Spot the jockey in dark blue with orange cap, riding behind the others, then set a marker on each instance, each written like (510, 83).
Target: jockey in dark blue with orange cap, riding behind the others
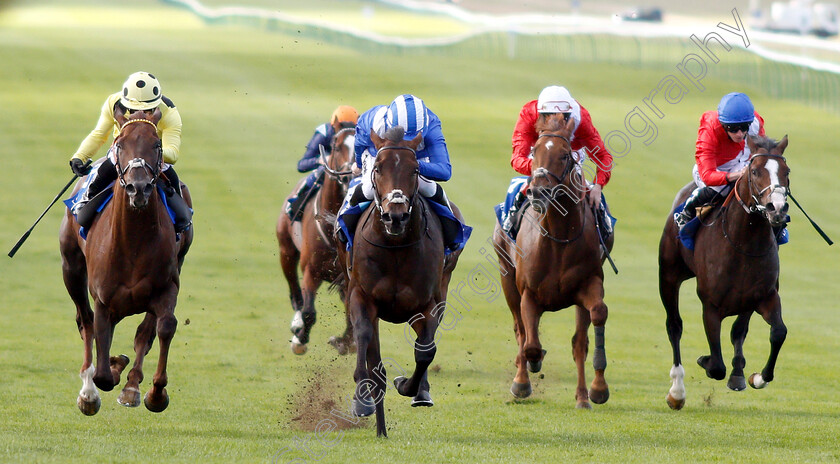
(344, 117)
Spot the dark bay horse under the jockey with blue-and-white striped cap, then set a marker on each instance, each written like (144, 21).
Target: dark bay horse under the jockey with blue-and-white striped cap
(396, 272)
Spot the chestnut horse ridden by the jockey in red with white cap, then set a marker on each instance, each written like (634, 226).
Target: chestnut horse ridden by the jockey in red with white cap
(556, 263)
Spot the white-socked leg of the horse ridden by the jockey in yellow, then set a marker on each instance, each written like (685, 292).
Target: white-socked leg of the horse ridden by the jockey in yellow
(75, 279)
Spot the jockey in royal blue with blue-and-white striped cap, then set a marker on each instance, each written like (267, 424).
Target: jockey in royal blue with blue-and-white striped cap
(410, 113)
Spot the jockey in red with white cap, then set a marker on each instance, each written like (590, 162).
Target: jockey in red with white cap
(585, 140)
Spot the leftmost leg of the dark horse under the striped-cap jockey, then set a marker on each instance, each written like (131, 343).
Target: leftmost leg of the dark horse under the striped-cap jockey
(363, 402)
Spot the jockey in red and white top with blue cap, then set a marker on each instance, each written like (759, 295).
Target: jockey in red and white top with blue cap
(722, 154)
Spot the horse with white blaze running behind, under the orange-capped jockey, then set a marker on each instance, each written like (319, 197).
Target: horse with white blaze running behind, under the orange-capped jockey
(315, 247)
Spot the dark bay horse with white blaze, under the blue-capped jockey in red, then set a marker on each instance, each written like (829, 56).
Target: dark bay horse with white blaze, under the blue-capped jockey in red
(736, 263)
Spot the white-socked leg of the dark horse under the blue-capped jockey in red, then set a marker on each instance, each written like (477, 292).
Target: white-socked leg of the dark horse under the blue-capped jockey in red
(669, 293)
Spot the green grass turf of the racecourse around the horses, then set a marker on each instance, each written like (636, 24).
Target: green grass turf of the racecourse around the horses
(250, 101)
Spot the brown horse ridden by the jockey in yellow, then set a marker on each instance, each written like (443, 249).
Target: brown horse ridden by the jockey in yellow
(131, 264)
